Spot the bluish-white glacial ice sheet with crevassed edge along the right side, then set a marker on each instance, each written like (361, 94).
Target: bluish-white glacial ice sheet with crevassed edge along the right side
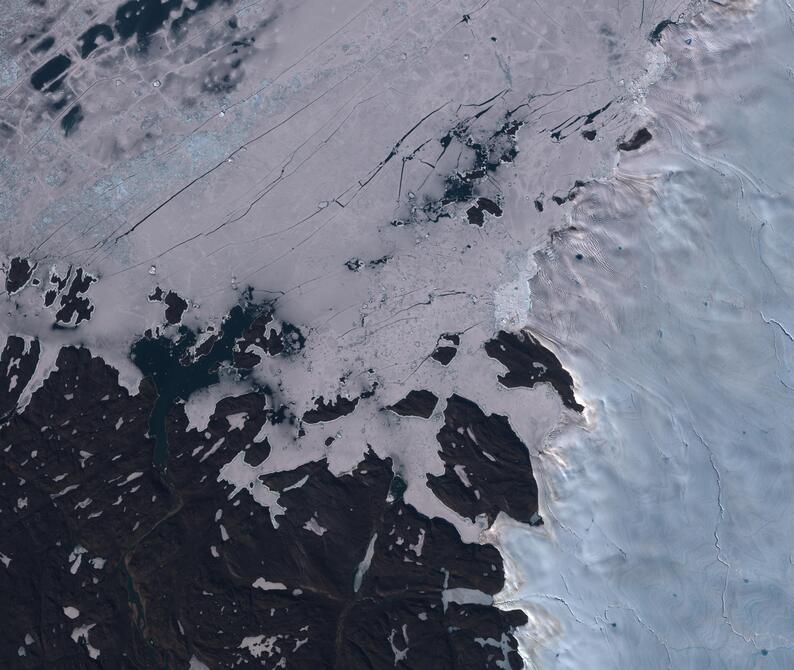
(671, 540)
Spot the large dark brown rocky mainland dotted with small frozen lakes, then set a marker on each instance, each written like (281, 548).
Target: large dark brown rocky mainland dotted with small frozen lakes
(109, 561)
